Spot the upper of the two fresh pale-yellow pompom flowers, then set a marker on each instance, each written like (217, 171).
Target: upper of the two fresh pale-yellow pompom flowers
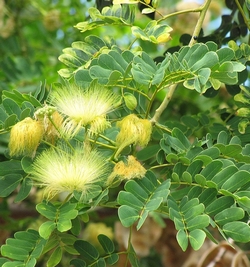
(84, 108)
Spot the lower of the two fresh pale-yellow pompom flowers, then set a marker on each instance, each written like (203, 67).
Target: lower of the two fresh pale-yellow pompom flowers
(59, 170)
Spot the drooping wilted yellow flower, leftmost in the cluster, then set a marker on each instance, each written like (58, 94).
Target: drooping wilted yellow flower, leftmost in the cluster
(25, 137)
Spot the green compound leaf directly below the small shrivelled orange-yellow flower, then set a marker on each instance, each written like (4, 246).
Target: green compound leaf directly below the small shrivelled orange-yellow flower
(141, 197)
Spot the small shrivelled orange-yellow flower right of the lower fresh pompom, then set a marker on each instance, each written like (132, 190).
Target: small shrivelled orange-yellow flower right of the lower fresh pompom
(127, 170)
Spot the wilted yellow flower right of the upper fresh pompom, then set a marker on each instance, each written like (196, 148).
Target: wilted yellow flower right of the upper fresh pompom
(133, 131)
